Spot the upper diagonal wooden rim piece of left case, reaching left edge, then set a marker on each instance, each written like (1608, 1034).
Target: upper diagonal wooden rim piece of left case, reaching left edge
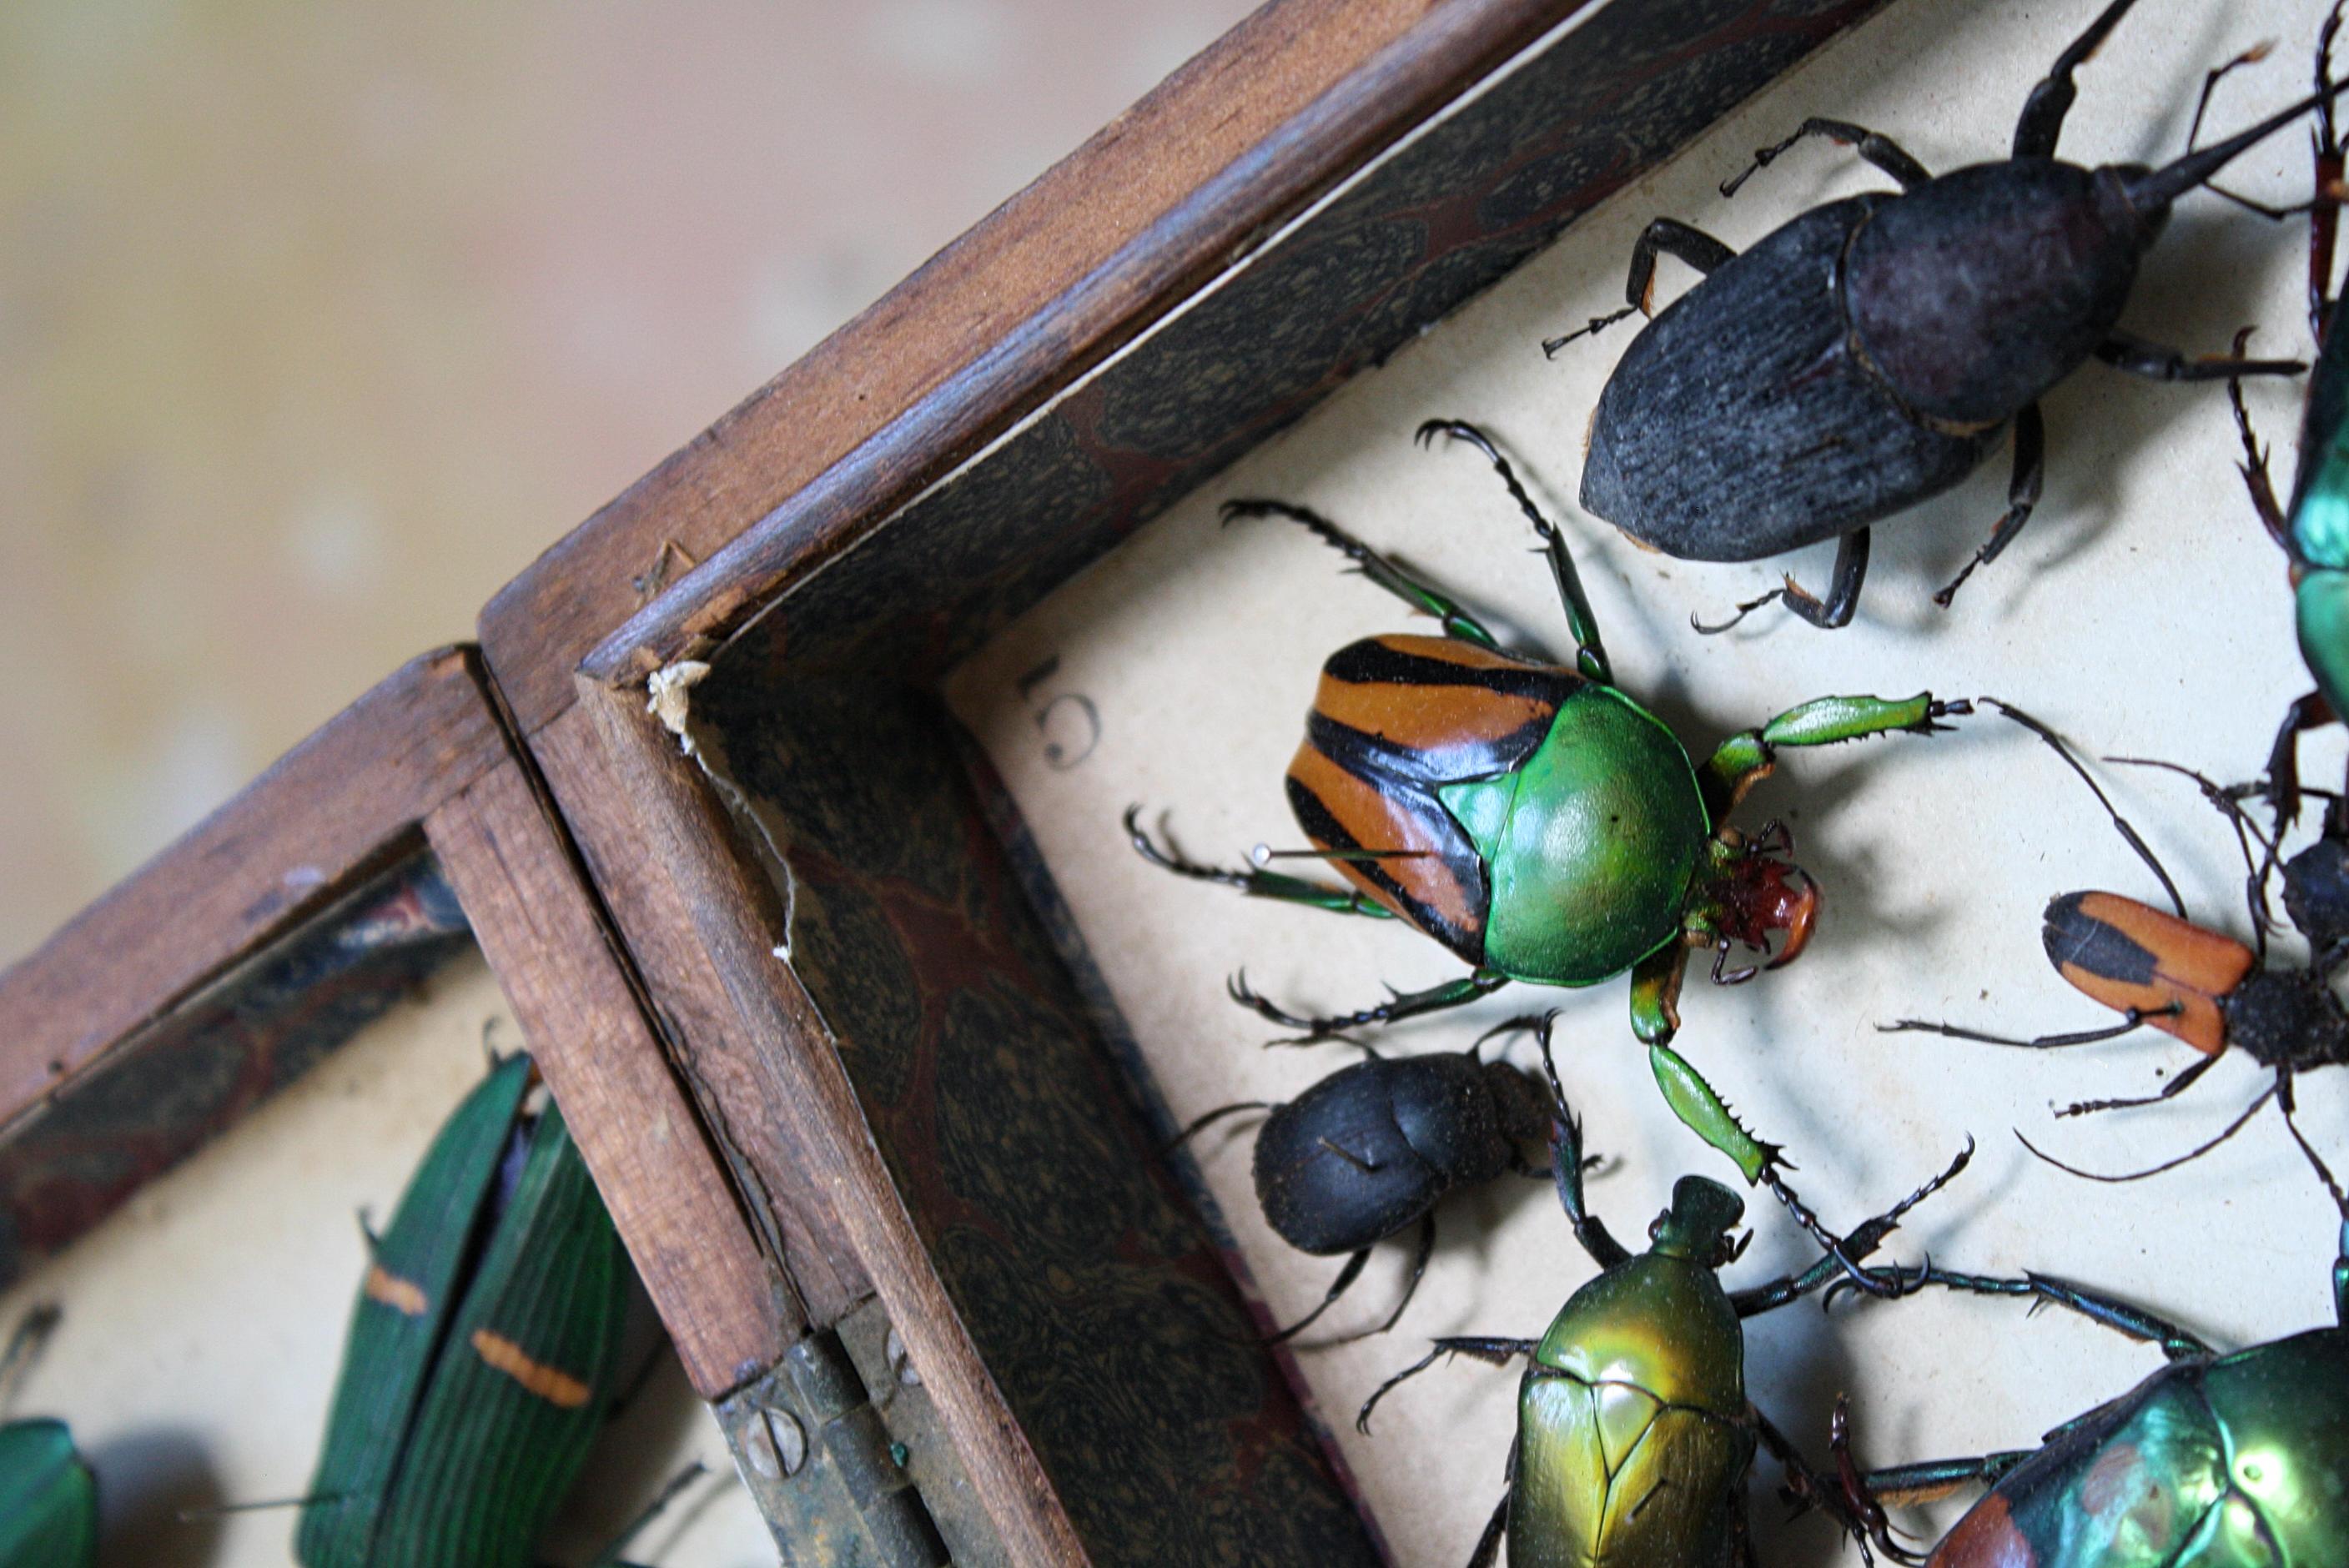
(330, 813)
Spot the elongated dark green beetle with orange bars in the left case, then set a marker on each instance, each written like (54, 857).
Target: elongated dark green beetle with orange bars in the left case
(483, 1351)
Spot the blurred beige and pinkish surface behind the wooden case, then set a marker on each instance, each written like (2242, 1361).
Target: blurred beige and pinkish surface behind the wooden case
(318, 323)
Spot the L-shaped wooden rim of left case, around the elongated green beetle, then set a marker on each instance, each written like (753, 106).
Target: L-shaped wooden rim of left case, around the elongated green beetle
(426, 759)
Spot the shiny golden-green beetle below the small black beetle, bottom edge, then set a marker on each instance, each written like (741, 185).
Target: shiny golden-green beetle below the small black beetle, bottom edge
(1634, 1426)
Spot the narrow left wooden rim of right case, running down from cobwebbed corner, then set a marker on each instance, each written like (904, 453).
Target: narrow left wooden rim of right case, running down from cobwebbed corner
(739, 924)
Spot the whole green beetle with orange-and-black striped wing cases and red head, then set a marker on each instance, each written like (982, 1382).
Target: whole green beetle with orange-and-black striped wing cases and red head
(1533, 818)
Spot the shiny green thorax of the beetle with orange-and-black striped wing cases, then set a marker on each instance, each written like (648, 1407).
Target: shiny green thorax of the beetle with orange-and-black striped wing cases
(1591, 844)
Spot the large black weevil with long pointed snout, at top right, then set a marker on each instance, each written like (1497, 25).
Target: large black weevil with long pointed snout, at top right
(1871, 353)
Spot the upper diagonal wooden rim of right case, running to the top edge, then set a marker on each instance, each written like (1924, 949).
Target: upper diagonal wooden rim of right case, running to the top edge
(1028, 302)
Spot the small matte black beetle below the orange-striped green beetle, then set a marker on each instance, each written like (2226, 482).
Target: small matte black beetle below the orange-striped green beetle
(1375, 1147)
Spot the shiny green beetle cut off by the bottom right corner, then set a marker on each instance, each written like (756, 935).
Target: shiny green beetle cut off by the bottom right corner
(2216, 1461)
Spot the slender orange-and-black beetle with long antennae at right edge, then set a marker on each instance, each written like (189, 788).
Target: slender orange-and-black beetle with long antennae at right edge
(2216, 994)
